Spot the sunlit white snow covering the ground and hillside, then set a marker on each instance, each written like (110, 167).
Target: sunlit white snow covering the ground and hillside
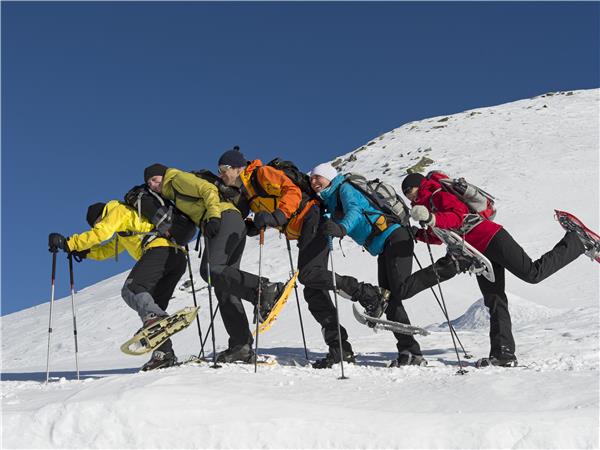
(534, 155)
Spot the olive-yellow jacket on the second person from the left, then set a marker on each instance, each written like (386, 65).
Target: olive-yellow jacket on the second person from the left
(197, 198)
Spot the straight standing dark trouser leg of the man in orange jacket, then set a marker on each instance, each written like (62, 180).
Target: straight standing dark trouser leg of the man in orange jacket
(317, 280)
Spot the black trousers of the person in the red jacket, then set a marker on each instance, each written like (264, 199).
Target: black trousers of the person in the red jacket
(505, 253)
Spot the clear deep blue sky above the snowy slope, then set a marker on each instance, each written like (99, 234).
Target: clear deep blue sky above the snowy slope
(94, 92)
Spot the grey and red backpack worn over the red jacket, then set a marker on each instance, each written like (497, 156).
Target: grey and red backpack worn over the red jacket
(477, 200)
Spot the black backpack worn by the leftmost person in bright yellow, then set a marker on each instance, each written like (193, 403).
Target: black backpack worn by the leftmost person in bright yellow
(169, 222)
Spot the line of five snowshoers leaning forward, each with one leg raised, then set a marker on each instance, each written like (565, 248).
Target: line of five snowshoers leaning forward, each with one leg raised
(311, 215)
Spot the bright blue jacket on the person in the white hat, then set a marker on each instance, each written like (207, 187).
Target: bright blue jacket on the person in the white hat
(358, 211)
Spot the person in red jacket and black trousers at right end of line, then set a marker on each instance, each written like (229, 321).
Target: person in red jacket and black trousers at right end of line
(433, 206)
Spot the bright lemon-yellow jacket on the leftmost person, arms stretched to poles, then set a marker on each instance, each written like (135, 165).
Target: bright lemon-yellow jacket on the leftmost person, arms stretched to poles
(116, 218)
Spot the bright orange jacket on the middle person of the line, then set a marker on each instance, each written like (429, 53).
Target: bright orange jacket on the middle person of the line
(278, 192)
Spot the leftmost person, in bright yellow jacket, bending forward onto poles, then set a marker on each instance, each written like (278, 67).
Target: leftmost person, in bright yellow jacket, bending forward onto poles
(160, 264)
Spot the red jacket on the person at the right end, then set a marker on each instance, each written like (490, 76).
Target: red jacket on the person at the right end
(449, 213)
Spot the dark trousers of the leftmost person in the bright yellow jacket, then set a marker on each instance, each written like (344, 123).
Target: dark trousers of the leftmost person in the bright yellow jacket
(151, 282)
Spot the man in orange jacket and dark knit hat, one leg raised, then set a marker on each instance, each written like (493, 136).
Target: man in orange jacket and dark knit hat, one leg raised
(279, 203)
